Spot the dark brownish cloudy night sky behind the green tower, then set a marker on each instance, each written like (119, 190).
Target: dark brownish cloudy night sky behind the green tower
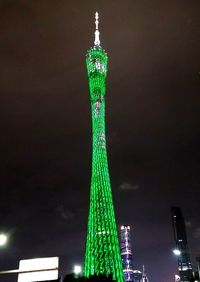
(152, 122)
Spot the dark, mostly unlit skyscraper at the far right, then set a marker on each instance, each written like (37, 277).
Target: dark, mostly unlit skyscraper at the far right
(184, 263)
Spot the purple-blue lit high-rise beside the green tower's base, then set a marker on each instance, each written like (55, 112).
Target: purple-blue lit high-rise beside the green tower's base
(126, 252)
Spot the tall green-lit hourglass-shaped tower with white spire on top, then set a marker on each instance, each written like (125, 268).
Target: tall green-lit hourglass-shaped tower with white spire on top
(102, 246)
